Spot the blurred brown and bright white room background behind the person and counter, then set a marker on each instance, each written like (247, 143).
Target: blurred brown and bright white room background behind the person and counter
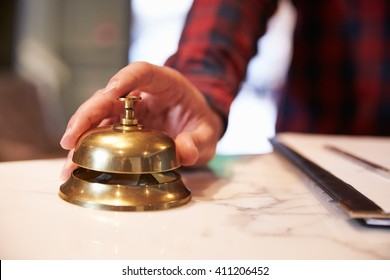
(55, 53)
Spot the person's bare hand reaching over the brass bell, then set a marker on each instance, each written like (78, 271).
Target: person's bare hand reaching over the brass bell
(169, 103)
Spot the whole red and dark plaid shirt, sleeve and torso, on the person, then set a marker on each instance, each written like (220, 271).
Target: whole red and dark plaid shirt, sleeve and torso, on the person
(339, 79)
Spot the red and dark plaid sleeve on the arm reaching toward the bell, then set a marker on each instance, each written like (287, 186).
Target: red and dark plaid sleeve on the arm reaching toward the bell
(218, 40)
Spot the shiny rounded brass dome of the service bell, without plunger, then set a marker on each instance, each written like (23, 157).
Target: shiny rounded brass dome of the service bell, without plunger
(136, 150)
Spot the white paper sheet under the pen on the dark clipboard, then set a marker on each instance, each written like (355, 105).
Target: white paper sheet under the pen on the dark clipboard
(375, 149)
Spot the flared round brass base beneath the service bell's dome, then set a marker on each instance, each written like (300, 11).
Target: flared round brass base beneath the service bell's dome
(125, 192)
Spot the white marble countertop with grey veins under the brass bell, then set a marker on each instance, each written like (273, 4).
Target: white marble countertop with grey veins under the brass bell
(248, 207)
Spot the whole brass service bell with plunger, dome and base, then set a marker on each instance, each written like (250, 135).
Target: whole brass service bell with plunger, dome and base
(125, 167)
